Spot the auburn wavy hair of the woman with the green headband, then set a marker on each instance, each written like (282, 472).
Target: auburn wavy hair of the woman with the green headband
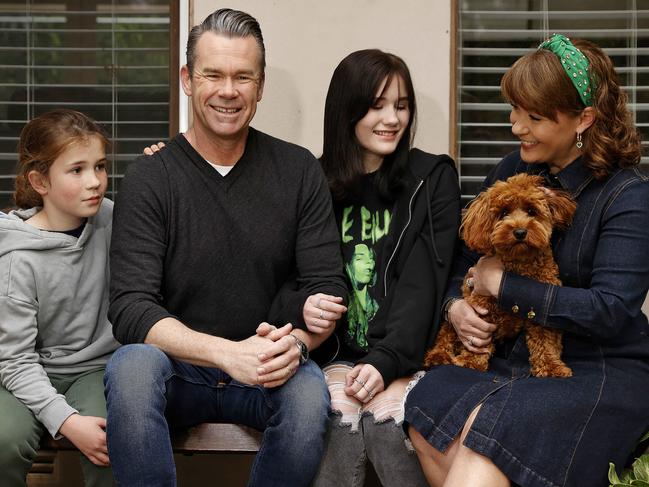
(538, 83)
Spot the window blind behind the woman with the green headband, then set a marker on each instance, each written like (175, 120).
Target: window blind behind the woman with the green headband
(492, 34)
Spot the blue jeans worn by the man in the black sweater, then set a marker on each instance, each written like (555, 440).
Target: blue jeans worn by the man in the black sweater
(147, 393)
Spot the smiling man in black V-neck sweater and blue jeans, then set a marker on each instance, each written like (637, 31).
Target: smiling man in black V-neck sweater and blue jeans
(205, 234)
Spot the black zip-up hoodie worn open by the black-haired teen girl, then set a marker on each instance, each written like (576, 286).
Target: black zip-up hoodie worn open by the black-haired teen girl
(415, 264)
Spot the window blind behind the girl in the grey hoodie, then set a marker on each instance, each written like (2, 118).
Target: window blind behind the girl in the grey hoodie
(107, 59)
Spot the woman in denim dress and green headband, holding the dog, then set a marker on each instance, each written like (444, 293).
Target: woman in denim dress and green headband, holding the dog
(503, 427)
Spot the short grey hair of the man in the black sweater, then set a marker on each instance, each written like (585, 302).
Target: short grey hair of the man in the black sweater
(230, 23)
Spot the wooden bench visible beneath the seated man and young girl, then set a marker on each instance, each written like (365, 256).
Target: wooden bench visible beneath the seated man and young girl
(202, 438)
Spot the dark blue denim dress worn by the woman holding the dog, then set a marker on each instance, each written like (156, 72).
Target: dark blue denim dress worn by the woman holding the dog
(561, 432)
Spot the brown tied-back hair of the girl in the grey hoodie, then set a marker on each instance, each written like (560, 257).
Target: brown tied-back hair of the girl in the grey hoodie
(42, 140)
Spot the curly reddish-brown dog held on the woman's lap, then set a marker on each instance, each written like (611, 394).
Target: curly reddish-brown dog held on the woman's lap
(512, 219)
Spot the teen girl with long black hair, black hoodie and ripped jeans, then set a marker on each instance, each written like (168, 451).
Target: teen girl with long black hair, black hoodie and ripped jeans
(398, 212)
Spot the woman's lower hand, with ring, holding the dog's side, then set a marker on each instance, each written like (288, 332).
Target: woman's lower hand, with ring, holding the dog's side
(474, 332)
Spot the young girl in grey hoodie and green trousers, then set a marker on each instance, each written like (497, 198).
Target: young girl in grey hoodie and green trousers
(55, 338)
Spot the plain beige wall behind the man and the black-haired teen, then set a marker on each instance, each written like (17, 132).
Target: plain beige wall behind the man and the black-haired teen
(306, 39)
